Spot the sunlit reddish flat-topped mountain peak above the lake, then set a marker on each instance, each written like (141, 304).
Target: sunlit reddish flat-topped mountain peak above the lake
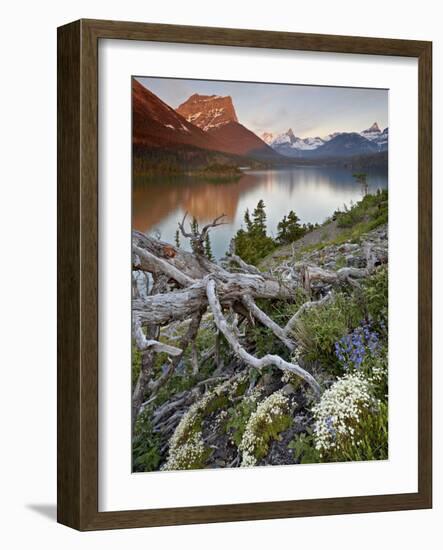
(208, 111)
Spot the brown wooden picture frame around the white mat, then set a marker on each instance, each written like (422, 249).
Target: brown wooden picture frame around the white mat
(78, 274)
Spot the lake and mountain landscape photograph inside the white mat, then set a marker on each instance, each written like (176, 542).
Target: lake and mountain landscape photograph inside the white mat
(259, 274)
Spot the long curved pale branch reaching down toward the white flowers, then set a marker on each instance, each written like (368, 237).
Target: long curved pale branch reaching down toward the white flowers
(267, 360)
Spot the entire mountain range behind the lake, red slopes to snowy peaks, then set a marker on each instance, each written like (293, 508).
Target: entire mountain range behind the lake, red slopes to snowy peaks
(205, 129)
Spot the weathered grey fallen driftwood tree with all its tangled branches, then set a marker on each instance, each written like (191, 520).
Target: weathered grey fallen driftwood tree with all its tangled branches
(186, 285)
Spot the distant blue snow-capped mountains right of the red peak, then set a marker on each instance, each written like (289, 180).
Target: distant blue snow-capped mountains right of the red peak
(368, 141)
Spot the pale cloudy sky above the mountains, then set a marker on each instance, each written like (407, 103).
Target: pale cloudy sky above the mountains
(309, 110)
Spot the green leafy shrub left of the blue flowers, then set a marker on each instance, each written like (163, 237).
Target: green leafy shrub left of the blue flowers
(319, 328)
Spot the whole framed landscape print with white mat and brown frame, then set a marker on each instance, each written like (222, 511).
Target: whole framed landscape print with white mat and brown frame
(244, 275)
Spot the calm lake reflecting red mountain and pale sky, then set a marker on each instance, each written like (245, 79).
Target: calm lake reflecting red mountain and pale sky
(313, 192)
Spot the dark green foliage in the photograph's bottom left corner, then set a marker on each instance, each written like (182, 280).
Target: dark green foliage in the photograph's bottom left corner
(146, 455)
